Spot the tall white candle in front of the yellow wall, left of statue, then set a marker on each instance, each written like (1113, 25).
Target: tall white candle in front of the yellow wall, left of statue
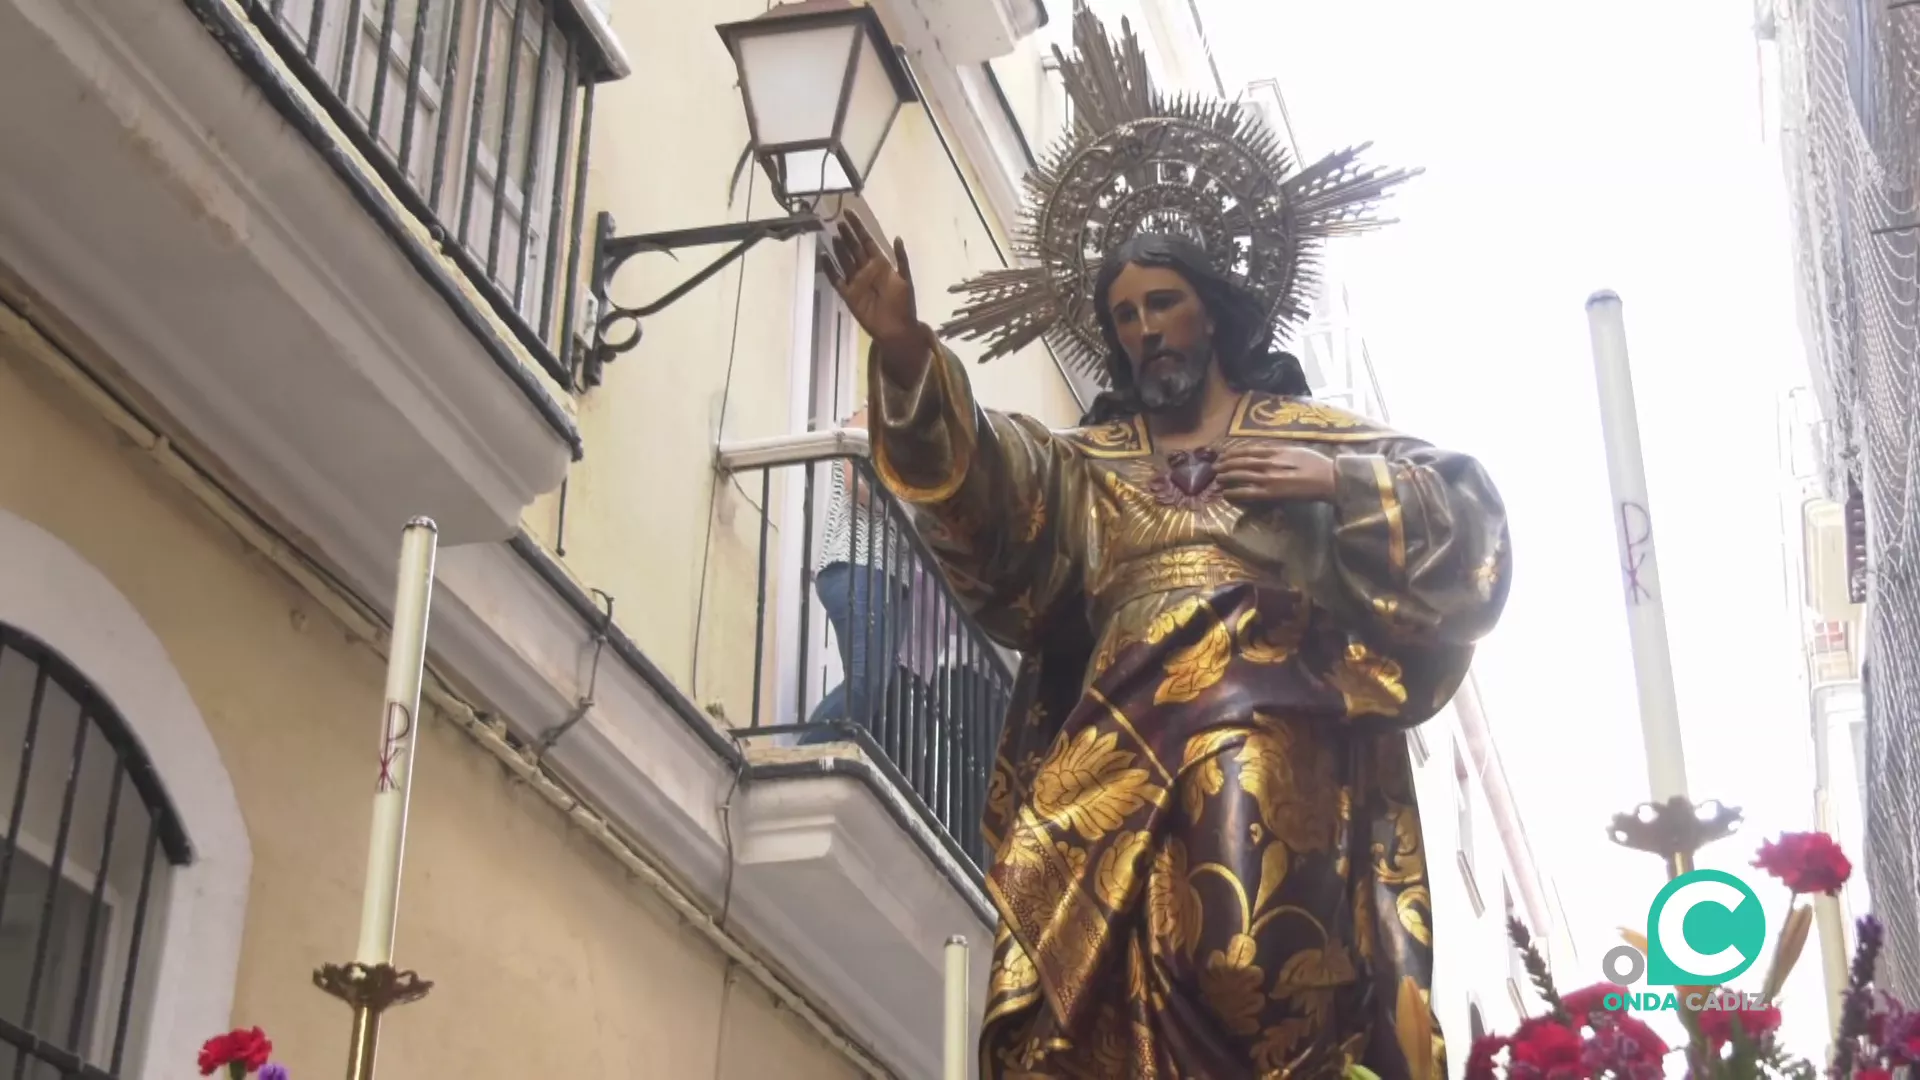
(406, 658)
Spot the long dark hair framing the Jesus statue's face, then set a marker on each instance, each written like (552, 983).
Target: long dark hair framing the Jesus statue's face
(1241, 345)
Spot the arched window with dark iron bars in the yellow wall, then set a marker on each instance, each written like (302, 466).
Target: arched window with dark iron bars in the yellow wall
(89, 841)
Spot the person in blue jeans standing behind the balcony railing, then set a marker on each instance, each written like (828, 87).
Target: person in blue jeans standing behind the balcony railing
(863, 587)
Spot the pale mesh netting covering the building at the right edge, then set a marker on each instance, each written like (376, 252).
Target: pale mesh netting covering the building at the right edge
(1850, 95)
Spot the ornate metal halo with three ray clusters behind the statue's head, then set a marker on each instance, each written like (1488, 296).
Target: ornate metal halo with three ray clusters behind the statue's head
(1145, 162)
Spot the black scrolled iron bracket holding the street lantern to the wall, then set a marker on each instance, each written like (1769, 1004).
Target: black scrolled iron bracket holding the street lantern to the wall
(617, 326)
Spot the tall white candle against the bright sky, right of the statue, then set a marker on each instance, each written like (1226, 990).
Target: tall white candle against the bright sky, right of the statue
(1633, 533)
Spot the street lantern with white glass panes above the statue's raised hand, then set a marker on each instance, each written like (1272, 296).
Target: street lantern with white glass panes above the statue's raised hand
(823, 87)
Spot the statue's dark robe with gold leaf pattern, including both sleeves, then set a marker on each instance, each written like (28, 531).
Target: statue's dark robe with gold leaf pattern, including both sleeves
(1209, 856)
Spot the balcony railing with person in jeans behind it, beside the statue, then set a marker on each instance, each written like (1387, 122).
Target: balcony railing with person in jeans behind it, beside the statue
(930, 689)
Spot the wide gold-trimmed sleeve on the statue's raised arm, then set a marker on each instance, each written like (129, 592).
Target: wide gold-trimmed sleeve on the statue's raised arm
(999, 499)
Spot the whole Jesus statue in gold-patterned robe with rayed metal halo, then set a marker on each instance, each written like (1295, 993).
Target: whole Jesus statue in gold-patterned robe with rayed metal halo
(1232, 604)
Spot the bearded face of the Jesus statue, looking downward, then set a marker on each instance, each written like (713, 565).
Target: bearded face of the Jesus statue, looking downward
(1166, 333)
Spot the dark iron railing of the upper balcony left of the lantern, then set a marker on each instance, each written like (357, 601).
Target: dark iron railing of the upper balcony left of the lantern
(477, 116)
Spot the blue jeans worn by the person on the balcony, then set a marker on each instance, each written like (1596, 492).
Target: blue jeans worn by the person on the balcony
(867, 660)
